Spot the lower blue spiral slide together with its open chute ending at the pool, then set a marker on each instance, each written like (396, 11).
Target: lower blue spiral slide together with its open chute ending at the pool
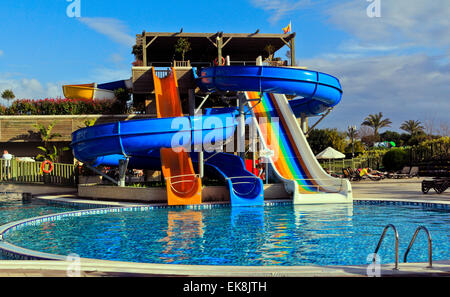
(140, 141)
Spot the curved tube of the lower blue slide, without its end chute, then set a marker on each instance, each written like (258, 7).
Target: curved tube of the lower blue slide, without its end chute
(137, 137)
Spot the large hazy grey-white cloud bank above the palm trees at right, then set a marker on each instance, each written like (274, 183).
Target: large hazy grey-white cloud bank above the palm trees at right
(402, 87)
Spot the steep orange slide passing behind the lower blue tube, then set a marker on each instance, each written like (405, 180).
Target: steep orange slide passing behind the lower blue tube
(184, 187)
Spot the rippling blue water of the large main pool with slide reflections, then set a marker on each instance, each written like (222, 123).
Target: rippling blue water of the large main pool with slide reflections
(270, 235)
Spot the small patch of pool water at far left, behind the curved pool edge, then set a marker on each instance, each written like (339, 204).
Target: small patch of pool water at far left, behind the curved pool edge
(15, 210)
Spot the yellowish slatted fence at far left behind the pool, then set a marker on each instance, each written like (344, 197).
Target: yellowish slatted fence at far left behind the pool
(14, 171)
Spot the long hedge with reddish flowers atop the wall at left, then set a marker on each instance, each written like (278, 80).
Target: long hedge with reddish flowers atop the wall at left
(60, 107)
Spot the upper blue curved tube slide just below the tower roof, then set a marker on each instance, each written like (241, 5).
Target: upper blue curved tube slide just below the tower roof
(319, 91)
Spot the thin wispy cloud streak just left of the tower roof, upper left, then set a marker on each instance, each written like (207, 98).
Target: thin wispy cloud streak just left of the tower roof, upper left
(114, 29)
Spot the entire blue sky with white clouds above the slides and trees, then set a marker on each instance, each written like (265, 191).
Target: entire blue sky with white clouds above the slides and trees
(397, 63)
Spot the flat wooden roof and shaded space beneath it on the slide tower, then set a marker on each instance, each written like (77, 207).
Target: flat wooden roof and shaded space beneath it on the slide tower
(240, 47)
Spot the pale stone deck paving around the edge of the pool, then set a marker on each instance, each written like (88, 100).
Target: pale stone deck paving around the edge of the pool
(389, 189)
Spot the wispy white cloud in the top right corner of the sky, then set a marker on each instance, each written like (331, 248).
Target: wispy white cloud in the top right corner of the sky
(402, 22)
